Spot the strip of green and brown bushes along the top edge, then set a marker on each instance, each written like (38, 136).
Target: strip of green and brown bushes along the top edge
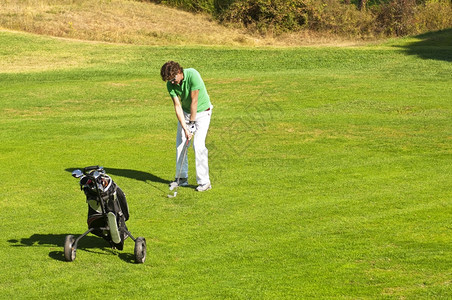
(351, 18)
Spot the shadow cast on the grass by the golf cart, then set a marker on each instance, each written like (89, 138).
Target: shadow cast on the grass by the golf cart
(88, 243)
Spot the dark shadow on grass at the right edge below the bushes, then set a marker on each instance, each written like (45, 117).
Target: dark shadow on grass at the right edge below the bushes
(433, 45)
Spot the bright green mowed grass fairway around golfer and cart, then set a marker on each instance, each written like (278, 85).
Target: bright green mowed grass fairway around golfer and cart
(331, 171)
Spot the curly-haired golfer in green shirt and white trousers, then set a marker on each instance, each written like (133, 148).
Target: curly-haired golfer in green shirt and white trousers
(193, 111)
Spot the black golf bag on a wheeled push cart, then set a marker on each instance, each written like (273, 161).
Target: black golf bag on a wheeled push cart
(107, 213)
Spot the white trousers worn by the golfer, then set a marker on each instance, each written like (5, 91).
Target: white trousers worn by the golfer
(199, 147)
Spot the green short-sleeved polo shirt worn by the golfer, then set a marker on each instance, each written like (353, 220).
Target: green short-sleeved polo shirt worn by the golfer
(192, 81)
